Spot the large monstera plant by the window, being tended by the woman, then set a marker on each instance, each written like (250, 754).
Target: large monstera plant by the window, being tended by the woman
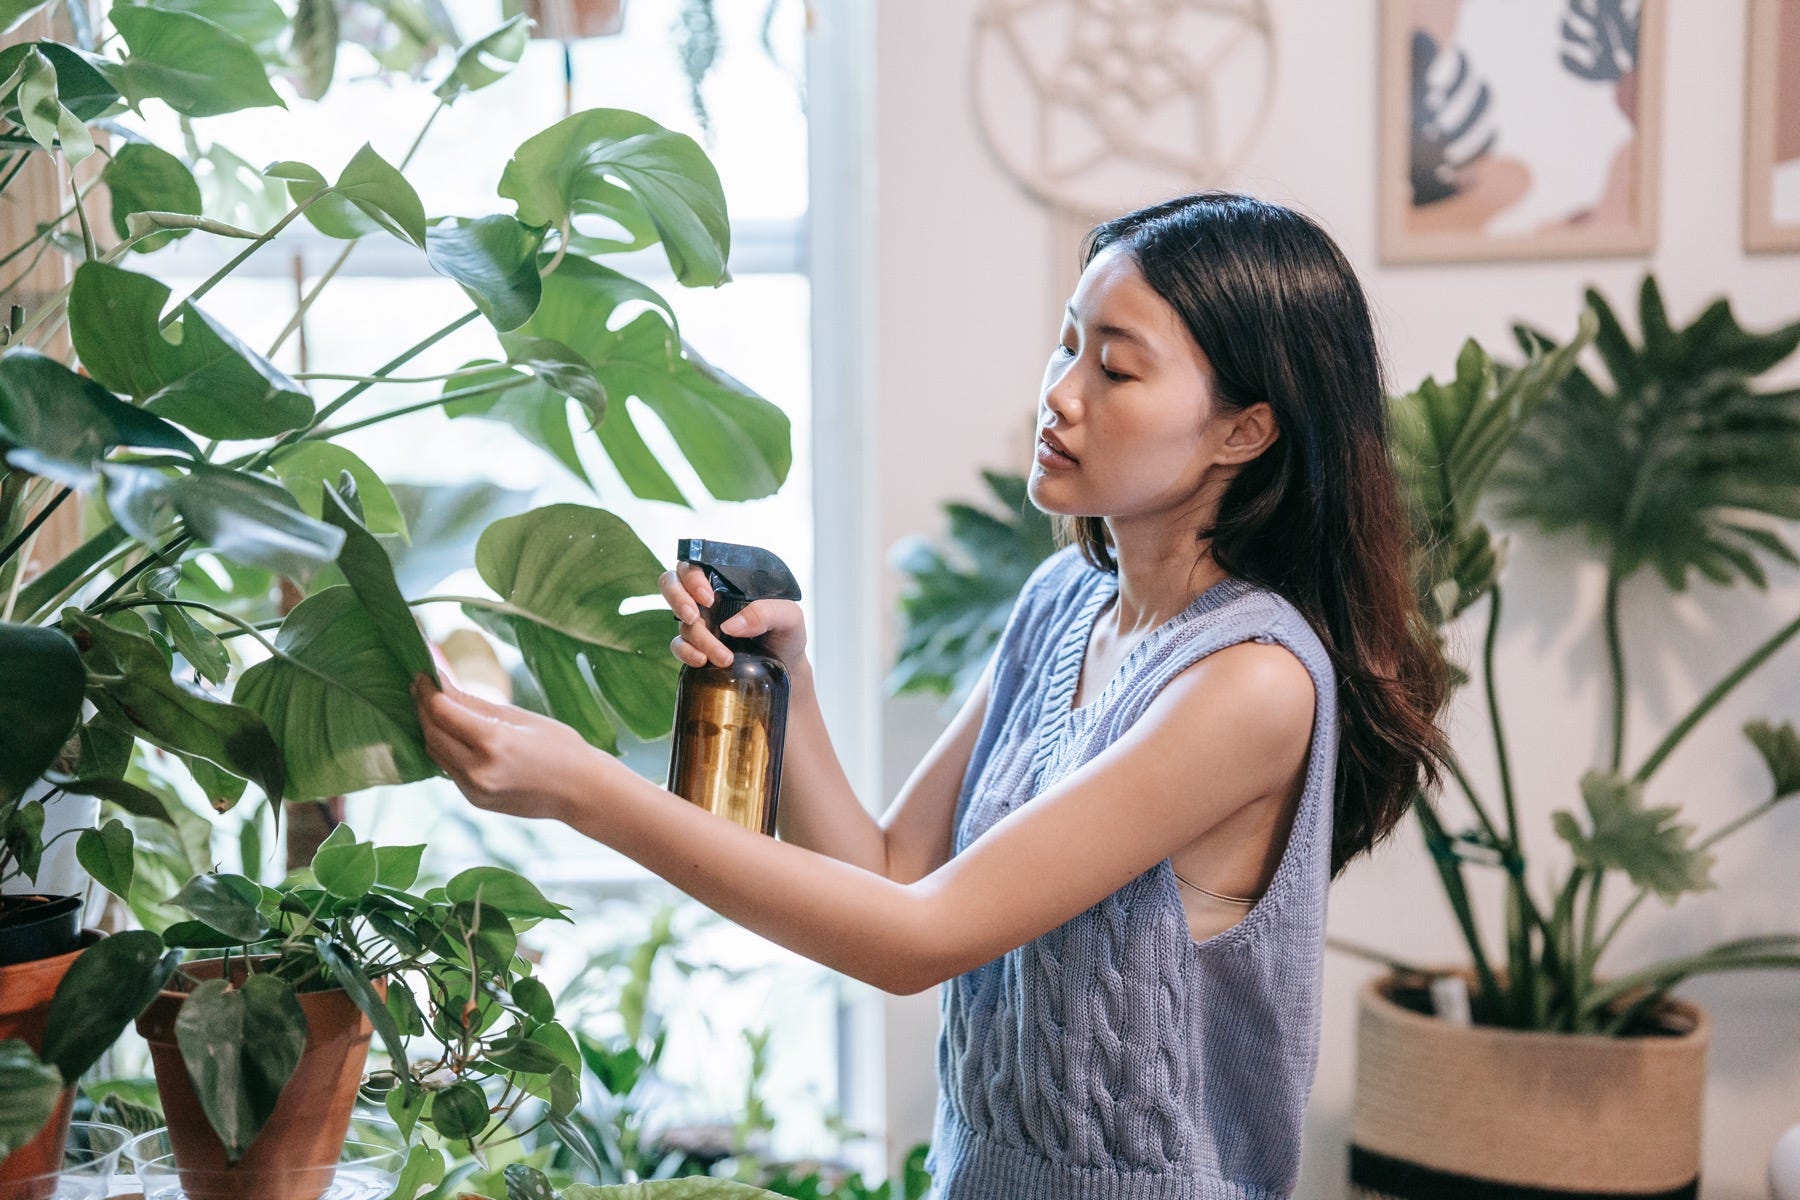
(233, 613)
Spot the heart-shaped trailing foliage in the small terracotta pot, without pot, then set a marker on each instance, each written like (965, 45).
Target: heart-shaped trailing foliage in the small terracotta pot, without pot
(471, 1032)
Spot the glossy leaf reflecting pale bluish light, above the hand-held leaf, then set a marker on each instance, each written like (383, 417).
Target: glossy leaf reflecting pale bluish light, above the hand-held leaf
(244, 517)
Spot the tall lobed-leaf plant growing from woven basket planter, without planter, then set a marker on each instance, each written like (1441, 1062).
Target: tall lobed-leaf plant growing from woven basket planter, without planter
(1677, 463)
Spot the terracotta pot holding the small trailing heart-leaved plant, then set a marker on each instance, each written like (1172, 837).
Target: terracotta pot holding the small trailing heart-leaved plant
(296, 1154)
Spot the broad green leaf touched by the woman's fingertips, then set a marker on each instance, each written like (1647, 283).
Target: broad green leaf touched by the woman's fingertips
(339, 701)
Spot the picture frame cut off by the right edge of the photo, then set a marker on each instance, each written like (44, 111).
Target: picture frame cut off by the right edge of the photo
(1772, 127)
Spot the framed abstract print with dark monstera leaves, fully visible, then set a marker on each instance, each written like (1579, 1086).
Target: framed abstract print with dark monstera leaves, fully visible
(1520, 129)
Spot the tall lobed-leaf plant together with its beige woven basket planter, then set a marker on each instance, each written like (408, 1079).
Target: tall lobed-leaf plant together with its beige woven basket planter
(1540, 1068)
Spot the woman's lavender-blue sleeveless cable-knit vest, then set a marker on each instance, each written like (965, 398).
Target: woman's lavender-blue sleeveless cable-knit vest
(1117, 1059)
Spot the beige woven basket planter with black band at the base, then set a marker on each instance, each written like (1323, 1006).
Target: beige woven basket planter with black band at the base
(1480, 1113)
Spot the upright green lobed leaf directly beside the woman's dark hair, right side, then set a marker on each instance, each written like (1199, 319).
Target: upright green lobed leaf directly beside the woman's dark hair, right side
(1446, 443)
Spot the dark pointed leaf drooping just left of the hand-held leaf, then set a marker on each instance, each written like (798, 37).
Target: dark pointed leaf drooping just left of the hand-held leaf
(139, 694)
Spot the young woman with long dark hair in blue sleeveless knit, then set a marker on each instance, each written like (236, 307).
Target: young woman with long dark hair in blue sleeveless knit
(1209, 703)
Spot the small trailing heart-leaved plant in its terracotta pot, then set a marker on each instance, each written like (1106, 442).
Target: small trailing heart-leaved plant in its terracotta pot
(260, 1048)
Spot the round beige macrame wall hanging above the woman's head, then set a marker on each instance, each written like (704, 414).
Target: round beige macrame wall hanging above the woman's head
(1095, 107)
